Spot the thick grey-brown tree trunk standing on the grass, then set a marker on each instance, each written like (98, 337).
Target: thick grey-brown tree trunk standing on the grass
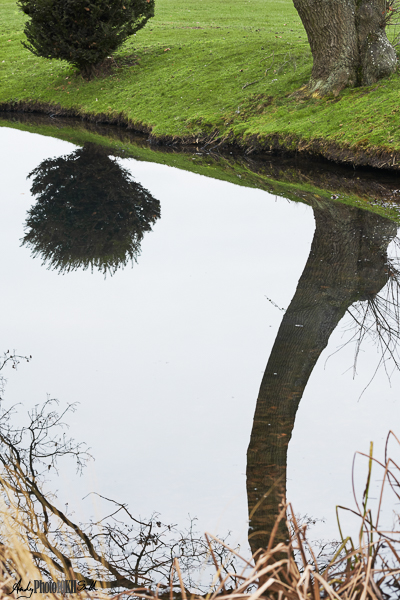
(348, 43)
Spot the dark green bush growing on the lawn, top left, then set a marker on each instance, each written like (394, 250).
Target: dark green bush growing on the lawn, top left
(82, 32)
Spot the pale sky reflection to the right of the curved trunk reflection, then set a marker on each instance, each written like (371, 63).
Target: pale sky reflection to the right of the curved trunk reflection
(334, 420)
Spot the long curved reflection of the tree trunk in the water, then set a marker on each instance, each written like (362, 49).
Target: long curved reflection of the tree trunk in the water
(346, 263)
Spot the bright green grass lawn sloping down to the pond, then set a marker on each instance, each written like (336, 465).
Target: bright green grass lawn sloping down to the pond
(216, 69)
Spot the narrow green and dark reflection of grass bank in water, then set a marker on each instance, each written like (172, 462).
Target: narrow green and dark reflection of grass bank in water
(299, 181)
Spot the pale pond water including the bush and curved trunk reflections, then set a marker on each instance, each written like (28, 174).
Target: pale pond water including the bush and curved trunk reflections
(166, 355)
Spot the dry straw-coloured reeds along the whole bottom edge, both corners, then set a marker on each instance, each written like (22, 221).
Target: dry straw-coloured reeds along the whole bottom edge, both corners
(366, 570)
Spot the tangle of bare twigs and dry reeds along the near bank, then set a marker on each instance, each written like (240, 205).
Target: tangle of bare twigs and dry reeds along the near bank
(139, 559)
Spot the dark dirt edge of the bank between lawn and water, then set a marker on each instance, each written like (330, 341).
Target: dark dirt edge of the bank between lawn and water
(286, 145)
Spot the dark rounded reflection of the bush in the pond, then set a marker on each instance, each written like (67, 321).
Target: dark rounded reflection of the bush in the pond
(89, 212)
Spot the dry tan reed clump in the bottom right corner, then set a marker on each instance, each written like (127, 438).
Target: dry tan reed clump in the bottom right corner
(369, 570)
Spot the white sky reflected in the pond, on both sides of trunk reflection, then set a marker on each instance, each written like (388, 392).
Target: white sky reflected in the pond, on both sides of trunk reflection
(166, 358)
